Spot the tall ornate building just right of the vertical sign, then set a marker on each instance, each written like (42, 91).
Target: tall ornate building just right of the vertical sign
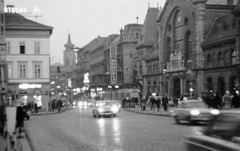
(129, 37)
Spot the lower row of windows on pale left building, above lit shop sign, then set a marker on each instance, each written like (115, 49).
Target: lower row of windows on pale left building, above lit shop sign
(23, 70)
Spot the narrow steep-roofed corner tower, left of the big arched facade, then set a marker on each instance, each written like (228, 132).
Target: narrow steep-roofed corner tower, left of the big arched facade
(147, 56)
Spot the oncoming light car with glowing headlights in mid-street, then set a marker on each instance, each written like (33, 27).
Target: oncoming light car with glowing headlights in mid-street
(105, 107)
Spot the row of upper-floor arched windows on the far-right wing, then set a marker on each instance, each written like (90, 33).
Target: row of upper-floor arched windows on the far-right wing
(221, 59)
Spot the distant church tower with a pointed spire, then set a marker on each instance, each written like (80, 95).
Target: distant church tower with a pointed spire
(69, 54)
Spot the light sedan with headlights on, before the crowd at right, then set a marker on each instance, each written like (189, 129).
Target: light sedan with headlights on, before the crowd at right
(193, 111)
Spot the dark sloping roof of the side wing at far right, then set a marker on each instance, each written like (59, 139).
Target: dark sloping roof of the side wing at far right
(222, 30)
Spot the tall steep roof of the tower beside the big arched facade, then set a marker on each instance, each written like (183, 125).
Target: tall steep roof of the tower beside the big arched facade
(149, 31)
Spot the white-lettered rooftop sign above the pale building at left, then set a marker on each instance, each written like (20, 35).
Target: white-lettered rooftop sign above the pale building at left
(35, 11)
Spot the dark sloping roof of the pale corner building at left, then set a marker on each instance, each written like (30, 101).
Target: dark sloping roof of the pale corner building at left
(16, 21)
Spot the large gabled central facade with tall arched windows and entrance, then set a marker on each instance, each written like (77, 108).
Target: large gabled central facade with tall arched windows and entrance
(183, 27)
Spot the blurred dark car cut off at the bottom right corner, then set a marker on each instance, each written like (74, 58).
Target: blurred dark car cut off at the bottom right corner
(223, 133)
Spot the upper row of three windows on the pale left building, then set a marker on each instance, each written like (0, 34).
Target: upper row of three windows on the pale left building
(22, 48)
